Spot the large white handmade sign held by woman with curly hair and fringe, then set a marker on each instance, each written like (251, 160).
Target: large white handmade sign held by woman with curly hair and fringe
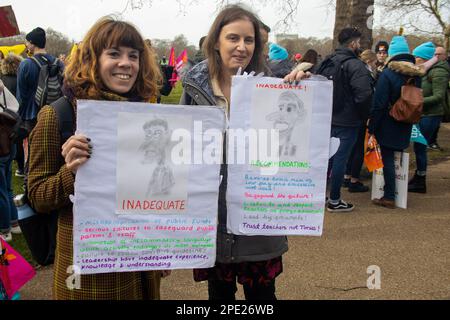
(147, 198)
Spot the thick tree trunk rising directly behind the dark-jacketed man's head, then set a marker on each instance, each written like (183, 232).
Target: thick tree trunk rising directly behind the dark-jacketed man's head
(354, 13)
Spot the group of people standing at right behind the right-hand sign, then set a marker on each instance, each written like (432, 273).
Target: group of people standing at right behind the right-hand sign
(362, 99)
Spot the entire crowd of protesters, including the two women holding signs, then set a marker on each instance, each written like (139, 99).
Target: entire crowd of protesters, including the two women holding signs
(115, 63)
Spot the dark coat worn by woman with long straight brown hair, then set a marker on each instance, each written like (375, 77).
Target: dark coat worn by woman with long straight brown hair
(230, 248)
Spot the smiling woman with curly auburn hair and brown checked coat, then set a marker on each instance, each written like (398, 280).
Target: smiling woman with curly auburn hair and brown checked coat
(112, 64)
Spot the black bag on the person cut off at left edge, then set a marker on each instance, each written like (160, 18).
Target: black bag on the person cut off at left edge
(12, 128)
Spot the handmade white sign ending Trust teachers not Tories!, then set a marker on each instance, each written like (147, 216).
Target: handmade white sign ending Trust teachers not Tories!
(280, 188)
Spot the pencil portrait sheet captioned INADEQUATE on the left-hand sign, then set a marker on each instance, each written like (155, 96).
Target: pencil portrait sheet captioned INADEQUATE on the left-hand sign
(154, 176)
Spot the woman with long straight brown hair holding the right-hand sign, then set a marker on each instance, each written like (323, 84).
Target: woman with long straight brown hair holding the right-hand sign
(233, 42)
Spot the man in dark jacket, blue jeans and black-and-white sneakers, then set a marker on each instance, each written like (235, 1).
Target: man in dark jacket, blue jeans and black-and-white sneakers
(352, 93)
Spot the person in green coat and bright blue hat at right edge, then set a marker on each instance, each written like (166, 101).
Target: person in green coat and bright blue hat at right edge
(434, 86)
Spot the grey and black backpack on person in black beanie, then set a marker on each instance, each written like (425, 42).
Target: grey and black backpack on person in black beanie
(50, 81)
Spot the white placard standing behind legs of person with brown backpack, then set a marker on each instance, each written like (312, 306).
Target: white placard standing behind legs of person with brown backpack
(401, 180)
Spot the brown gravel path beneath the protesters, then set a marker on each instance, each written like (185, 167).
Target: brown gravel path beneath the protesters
(411, 247)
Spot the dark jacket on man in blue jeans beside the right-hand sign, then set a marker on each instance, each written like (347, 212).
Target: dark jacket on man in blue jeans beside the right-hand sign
(353, 109)
